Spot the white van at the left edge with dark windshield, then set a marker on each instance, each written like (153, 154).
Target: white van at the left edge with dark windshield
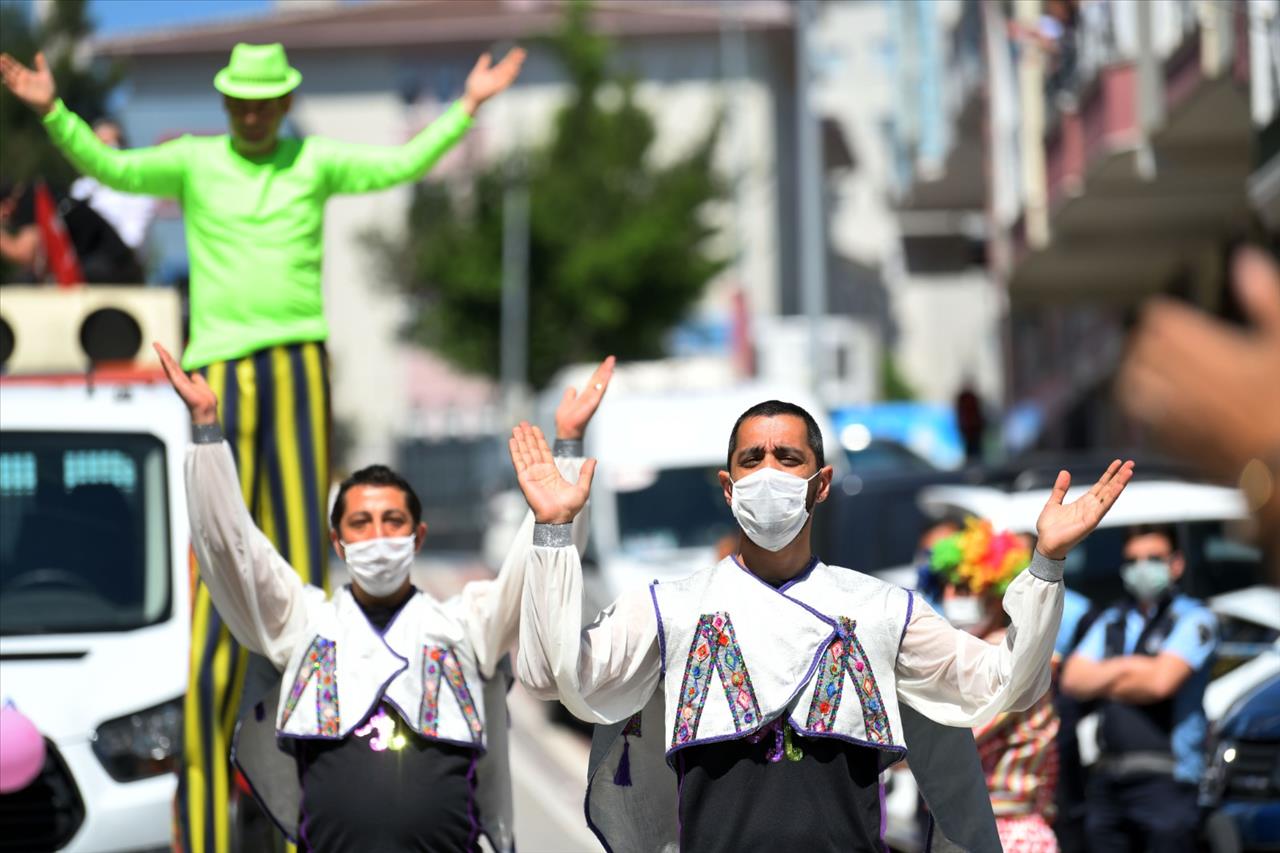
(95, 596)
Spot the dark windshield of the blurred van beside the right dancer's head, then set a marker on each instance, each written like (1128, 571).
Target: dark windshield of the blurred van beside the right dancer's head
(675, 508)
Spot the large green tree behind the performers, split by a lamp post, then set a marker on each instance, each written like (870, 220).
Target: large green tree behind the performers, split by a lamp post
(616, 244)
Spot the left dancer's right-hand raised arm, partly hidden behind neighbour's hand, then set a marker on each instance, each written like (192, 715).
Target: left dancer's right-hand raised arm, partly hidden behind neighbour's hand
(493, 606)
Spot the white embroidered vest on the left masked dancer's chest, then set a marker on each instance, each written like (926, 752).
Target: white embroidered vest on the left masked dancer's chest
(423, 667)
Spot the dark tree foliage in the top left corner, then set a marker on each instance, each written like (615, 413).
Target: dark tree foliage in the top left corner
(25, 148)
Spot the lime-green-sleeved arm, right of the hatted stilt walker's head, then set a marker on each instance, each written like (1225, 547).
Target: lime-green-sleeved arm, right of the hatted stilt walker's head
(364, 168)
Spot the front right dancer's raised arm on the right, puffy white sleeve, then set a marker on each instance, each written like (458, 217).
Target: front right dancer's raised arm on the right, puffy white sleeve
(961, 681)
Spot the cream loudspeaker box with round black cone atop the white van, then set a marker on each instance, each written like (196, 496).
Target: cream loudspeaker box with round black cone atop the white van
(48, 330)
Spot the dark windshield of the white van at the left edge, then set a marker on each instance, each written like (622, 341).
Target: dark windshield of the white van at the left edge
(84, 533)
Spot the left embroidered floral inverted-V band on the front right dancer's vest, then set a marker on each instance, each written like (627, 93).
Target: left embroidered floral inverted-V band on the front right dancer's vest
(715, 649)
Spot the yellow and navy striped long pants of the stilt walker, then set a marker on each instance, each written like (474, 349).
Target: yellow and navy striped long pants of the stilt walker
(275, 408)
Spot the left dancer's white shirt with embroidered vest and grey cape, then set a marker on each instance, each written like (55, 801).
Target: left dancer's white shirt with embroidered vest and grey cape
(438, 665)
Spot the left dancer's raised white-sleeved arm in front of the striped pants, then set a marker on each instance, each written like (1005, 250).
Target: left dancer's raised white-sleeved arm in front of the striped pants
(254, 590)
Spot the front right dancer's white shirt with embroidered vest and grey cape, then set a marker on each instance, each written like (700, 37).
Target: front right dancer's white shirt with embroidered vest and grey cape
(724, 656)
